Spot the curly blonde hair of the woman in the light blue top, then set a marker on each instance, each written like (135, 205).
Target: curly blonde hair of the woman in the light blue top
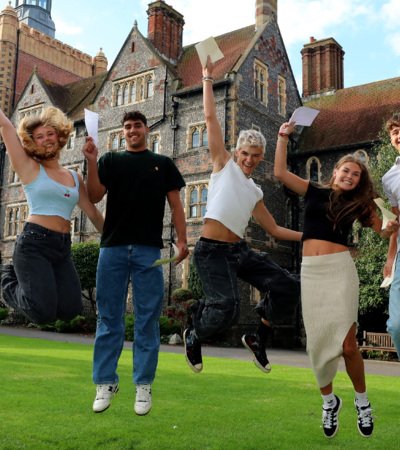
(50, 117)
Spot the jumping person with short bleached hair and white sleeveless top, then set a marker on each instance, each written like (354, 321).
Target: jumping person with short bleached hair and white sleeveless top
(222, 256)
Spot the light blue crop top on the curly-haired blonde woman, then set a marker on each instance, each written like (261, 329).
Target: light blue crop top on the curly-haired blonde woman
(47, 197)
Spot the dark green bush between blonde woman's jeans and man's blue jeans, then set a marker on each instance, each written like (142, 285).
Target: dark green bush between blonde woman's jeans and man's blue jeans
(85, 256)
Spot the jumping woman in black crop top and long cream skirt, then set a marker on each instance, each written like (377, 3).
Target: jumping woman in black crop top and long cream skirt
(329, 280)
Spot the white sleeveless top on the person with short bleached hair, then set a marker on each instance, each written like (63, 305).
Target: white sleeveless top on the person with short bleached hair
(232, 197)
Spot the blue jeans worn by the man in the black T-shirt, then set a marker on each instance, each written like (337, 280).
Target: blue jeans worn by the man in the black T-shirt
(116, 267)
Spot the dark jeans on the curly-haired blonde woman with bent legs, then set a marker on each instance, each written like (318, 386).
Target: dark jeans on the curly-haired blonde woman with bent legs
(45, 285)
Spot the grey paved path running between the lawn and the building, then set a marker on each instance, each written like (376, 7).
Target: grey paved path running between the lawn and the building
(296, 358)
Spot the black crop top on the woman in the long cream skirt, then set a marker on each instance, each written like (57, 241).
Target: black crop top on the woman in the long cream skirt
(317, 225)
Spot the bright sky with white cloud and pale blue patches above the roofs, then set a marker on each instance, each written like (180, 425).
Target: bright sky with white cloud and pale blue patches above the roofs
(368, 30)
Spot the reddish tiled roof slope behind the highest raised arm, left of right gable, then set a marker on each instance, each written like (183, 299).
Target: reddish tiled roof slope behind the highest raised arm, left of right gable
(233, 45)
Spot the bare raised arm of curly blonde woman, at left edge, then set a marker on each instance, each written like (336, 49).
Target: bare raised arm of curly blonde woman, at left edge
(20, 161)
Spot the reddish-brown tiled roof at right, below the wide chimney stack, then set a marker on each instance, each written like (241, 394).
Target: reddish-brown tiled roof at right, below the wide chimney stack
(351, 116)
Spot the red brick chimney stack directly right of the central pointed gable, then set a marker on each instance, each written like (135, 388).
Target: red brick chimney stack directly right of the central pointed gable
(165, 29)
